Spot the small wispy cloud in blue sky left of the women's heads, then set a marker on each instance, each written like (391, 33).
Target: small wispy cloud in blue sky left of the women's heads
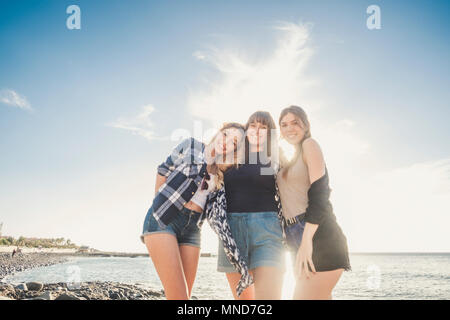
(140, 124)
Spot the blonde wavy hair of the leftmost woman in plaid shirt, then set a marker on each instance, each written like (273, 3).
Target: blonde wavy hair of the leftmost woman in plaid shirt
(219, 166)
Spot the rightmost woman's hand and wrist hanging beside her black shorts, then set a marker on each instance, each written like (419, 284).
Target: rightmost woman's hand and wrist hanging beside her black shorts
(304, 255)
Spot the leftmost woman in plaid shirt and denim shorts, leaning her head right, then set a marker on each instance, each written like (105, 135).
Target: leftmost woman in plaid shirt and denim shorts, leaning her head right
(171, 229)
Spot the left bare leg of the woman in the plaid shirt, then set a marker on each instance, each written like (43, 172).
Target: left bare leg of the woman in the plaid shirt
(164, 252)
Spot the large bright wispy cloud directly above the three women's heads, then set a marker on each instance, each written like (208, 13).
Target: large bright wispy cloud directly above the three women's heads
(242, 85)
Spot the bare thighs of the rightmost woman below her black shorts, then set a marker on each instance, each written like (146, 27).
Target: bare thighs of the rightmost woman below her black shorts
(318, 287)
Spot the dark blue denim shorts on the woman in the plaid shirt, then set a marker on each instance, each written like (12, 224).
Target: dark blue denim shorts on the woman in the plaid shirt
(183, 227)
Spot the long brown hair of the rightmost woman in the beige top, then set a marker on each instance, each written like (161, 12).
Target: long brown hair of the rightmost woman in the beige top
(301, 115)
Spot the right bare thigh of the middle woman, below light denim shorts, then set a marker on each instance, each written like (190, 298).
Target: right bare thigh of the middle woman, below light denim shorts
(268, 283)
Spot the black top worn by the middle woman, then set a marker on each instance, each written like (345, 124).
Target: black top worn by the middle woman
(249, 190)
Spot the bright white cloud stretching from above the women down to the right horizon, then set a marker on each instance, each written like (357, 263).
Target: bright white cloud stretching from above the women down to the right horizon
(379, 208)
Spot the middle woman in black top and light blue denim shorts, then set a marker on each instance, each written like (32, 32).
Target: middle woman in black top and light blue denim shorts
(252, 213)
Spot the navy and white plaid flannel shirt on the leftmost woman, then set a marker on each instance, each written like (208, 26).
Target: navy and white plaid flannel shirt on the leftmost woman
(184, 169)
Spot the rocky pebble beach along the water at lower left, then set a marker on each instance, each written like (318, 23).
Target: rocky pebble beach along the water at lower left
(61, 290)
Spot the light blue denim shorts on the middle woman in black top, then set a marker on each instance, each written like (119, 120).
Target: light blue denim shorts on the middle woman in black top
(259, 239)
